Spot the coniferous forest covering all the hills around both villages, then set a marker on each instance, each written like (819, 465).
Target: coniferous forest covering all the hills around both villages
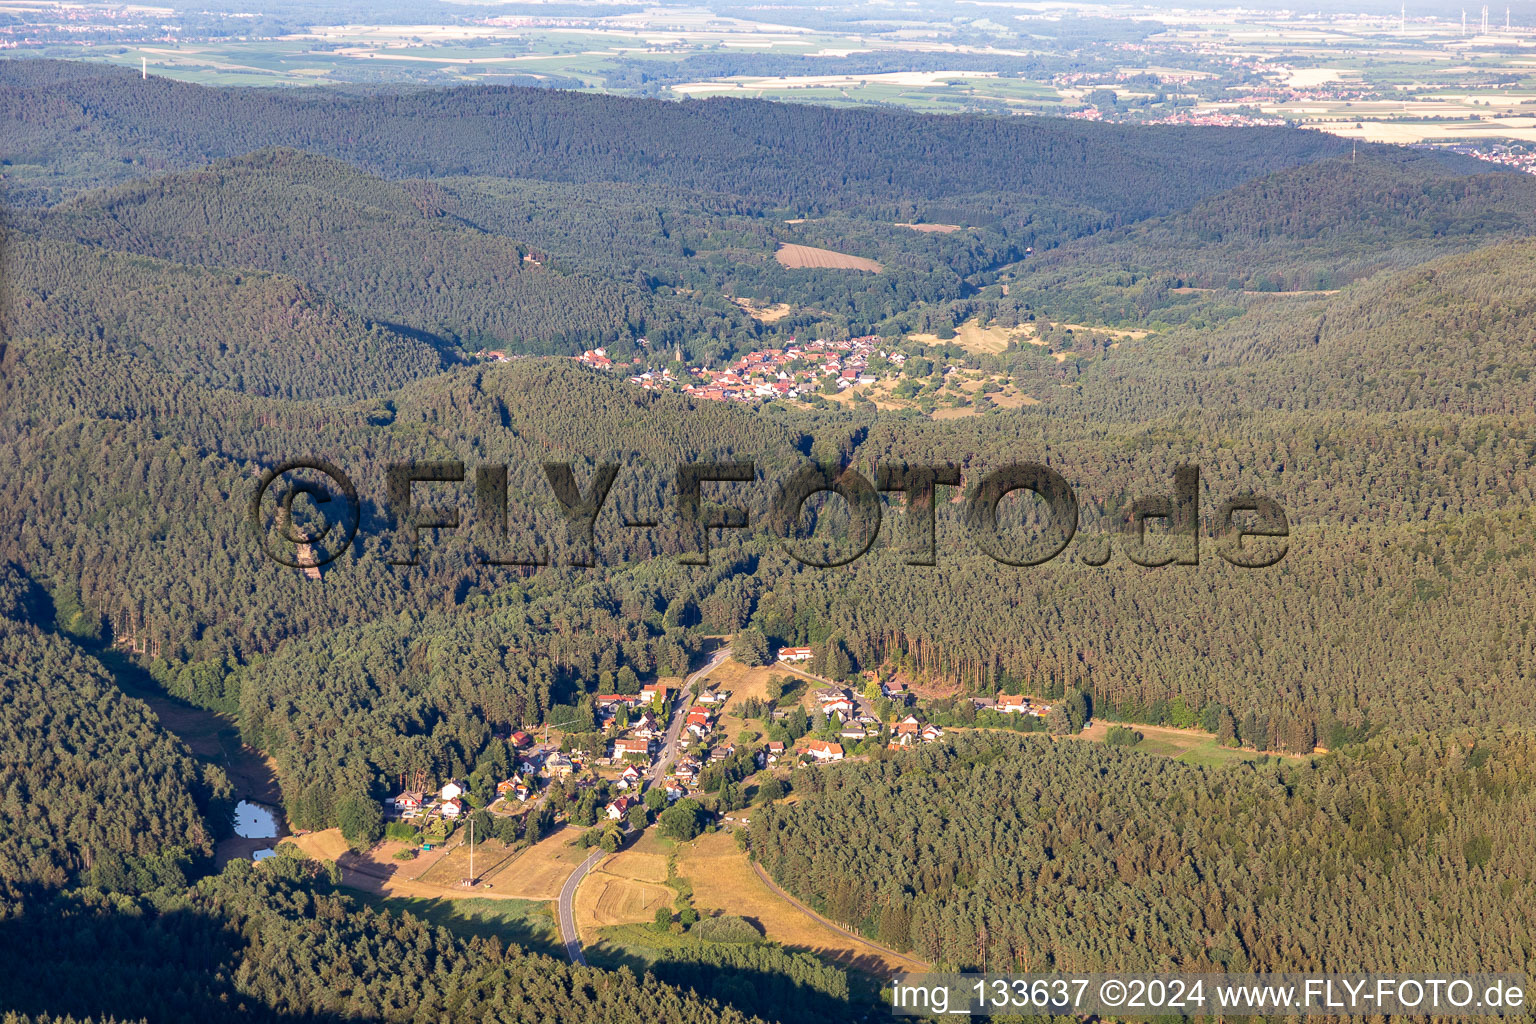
(204, 283)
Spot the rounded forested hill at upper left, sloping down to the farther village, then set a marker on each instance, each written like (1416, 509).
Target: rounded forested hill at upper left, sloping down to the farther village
(372, 246)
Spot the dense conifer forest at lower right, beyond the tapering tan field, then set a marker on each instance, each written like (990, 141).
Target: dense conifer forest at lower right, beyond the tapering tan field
(1019, 854)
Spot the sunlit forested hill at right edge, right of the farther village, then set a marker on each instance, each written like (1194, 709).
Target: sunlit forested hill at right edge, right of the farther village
(1452, 335)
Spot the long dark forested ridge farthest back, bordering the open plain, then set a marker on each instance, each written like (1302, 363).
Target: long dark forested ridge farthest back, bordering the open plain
(85, 130)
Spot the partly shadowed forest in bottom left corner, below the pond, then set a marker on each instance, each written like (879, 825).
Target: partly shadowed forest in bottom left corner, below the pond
(279, 942)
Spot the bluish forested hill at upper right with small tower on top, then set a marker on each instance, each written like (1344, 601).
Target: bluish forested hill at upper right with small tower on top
(1313, 228)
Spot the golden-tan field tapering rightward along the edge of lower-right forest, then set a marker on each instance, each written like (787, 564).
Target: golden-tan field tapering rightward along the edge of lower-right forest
(723, 879)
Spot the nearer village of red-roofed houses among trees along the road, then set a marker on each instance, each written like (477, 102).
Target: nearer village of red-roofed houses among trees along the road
(663, 745)
